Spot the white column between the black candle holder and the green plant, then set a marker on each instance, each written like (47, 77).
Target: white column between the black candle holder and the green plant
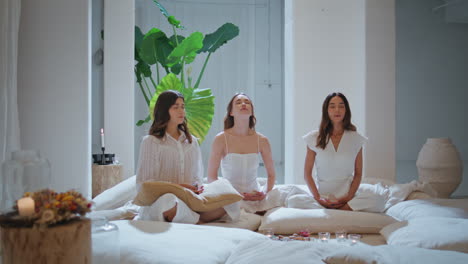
(119, 121)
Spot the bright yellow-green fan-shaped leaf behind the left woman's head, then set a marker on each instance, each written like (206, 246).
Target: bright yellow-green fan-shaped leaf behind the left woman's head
(199, 105)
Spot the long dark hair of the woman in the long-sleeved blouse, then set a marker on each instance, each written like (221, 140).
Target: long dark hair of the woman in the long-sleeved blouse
(161, 115)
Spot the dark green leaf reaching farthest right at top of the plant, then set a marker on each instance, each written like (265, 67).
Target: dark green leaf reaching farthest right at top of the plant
(221, 36)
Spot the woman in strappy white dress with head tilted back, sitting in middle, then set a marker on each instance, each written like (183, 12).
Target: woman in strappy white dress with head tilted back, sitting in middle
(237, 150)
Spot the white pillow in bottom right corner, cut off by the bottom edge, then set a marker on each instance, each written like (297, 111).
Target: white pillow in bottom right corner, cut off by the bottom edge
(364, 254)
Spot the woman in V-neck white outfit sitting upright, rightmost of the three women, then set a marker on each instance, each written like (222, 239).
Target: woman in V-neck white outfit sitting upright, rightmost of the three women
(336, 151)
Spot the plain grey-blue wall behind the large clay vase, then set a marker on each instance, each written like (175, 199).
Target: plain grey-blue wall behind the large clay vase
(432, 83)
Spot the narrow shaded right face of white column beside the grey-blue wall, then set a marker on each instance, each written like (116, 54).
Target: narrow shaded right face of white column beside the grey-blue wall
(380, 90)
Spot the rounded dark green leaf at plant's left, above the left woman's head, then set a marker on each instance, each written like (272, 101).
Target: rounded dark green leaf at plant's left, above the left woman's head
(155, 47)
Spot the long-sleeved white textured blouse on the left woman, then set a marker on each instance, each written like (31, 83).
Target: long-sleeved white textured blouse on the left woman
(171, 160)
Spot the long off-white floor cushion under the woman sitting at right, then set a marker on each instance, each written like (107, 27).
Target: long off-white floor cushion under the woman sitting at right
(292, 220)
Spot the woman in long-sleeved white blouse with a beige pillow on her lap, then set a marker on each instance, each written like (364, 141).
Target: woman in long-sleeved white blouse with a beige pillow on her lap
(170, 153)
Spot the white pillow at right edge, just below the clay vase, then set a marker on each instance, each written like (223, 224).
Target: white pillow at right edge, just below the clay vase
(426, 208)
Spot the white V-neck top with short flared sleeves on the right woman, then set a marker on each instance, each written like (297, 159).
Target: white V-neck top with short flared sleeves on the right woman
(335, 168)
